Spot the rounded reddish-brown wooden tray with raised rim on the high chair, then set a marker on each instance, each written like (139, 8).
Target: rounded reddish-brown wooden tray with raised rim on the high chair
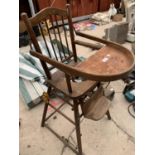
(110, 63)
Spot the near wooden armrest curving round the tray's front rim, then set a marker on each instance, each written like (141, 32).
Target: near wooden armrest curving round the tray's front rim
(74, 71)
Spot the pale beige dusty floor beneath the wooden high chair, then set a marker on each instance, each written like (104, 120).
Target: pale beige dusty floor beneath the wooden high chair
(104, 137)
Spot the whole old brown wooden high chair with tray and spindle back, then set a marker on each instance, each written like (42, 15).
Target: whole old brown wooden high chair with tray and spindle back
(86, 93)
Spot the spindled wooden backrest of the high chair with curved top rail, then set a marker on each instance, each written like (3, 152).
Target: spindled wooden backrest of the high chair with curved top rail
(52, 42)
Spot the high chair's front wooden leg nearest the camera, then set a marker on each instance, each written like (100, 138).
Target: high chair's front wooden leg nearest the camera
(77, 125)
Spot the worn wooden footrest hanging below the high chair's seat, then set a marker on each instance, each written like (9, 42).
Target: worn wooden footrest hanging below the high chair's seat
(97, 106)
